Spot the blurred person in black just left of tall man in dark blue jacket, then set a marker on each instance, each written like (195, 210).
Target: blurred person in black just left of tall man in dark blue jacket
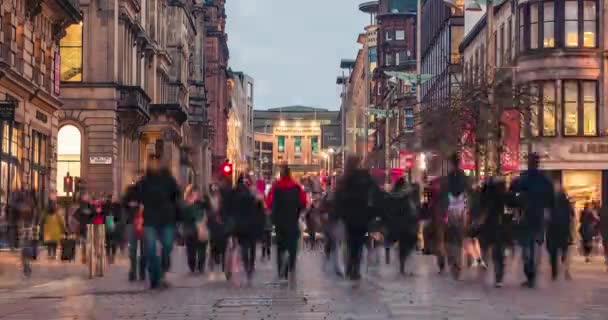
(493, 232)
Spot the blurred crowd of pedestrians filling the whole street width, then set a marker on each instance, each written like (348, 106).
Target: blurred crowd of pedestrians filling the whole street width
(223, 225)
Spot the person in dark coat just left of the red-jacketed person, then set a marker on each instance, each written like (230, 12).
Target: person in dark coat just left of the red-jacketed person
(248, 214)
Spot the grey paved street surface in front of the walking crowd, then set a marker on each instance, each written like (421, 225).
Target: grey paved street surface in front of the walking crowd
(62, 291)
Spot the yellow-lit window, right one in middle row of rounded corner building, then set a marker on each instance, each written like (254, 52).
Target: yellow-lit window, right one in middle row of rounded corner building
(580, 108)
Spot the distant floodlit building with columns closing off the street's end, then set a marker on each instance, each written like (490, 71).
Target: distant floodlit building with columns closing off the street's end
(295, 132)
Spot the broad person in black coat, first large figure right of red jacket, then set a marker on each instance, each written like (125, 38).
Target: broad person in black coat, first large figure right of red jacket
(356, 199)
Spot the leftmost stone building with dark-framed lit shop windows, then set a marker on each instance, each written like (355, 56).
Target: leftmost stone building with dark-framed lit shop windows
(29, 81)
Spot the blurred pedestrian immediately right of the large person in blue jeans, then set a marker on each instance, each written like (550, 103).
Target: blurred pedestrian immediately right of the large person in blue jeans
(193, 214)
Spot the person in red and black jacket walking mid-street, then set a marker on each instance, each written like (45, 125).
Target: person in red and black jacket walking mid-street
(286, 200)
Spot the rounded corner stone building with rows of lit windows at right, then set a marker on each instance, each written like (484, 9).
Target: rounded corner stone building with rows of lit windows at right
(556, 48)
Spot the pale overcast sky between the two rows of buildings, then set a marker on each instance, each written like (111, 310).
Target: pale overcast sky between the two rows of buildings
(292, 48)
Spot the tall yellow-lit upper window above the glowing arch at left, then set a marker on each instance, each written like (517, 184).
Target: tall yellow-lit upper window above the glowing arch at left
(70, 49)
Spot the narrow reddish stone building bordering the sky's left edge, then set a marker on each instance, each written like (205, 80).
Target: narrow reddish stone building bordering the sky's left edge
(216, 79)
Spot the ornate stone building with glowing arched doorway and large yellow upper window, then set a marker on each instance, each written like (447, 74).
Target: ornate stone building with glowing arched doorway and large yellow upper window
(131, 89)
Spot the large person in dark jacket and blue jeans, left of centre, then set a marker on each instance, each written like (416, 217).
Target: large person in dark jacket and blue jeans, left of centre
(158, 193)
